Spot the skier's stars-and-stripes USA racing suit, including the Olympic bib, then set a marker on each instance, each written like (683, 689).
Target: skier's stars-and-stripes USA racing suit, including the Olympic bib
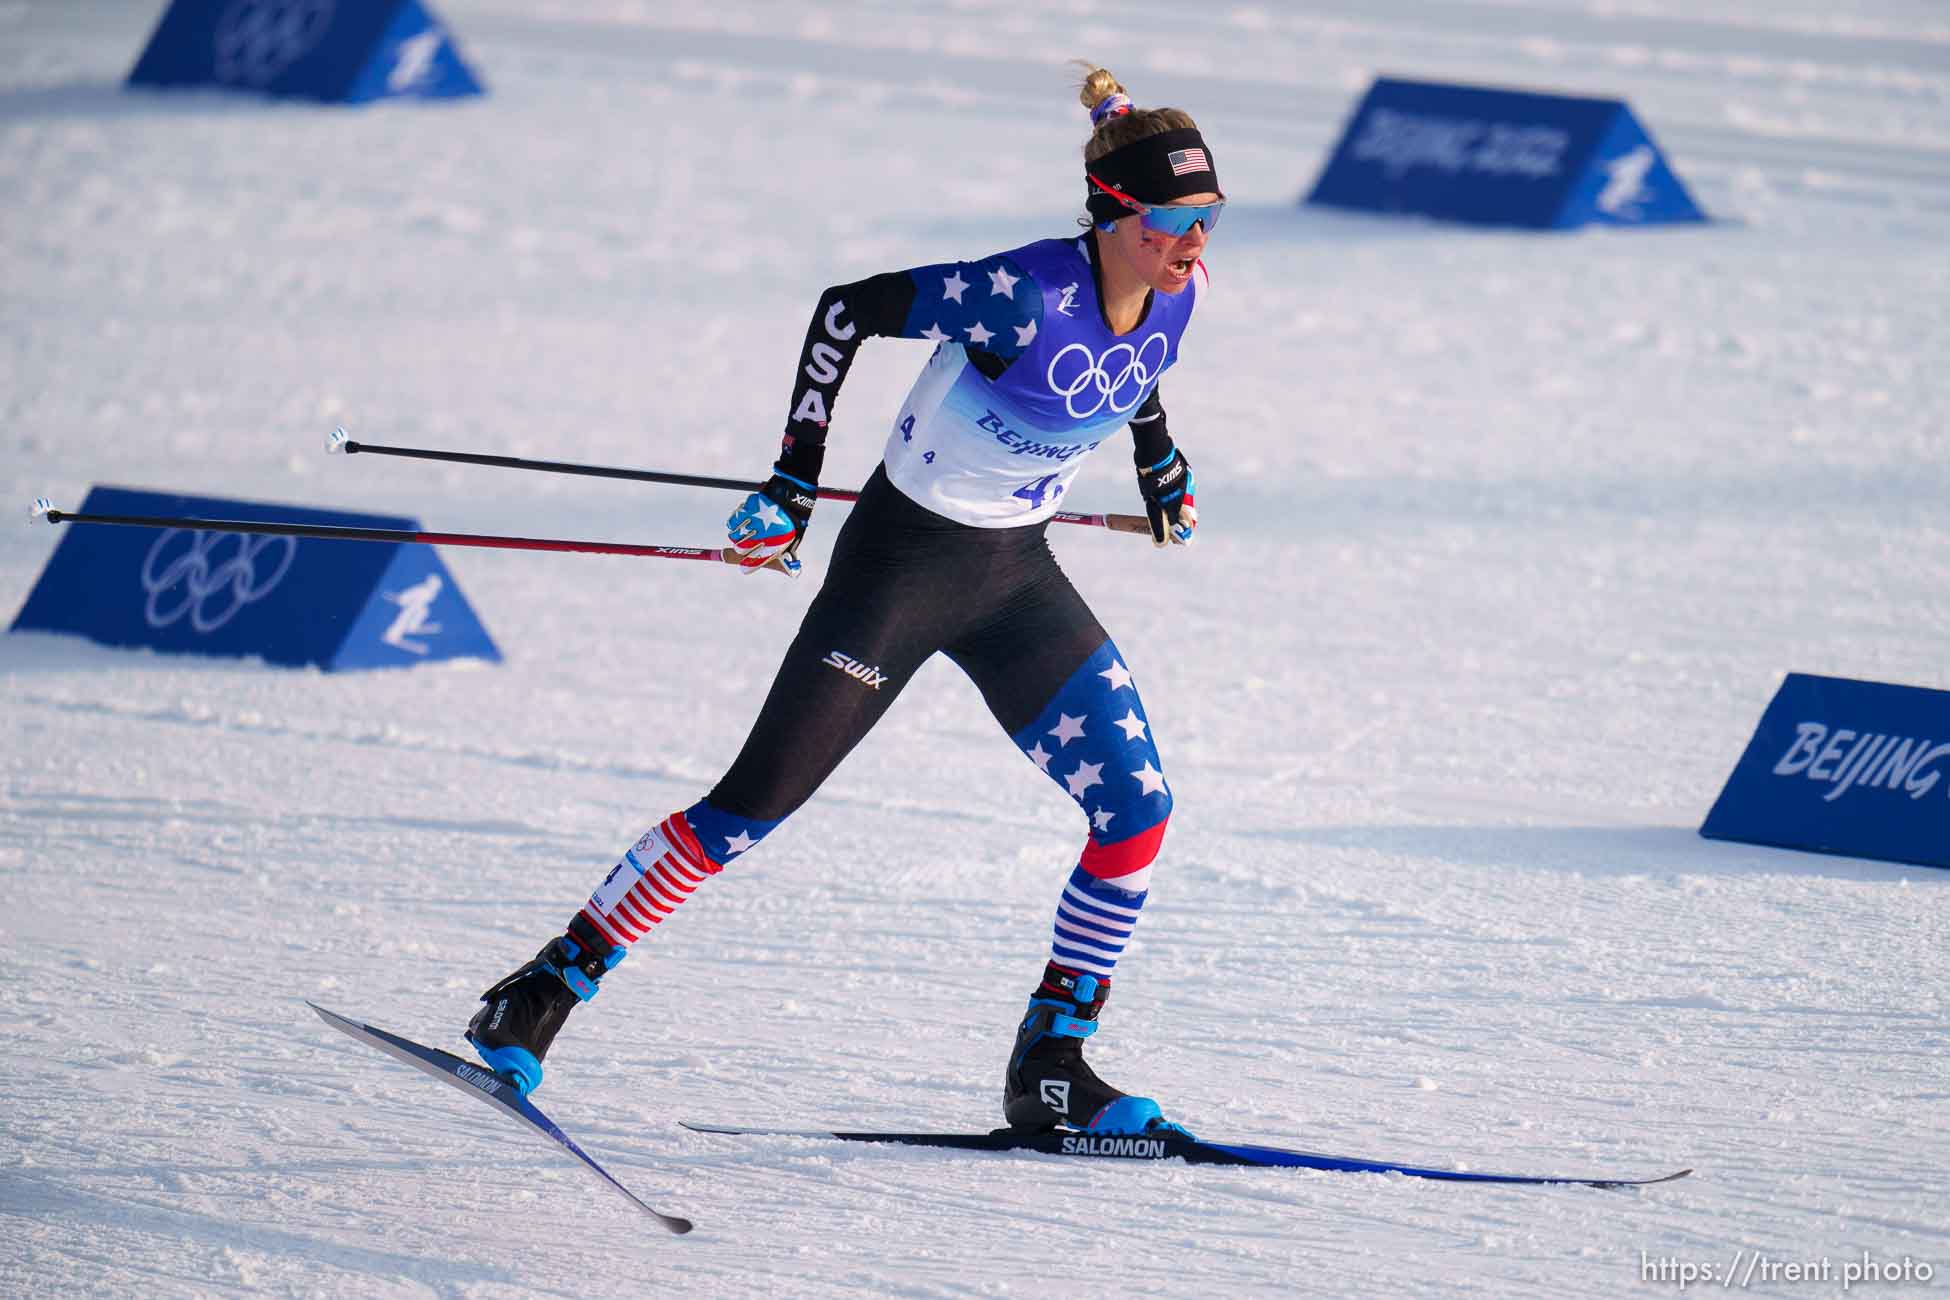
(945, 553)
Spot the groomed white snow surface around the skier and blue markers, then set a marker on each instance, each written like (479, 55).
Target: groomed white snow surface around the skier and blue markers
(1508, 541)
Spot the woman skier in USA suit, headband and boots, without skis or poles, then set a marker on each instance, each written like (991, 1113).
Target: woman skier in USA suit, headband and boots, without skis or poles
(1040, 356)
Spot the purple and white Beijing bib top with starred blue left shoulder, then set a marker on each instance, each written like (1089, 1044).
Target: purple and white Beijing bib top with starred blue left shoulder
(1001, 453)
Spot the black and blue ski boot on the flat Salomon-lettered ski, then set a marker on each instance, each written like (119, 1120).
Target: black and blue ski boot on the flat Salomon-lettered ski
(1050, 1085)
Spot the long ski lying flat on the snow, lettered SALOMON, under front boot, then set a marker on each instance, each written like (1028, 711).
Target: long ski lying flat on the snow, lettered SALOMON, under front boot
(1173, 1147)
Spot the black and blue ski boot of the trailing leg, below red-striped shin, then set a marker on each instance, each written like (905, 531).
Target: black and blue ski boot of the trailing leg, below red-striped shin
(522, 1014)
